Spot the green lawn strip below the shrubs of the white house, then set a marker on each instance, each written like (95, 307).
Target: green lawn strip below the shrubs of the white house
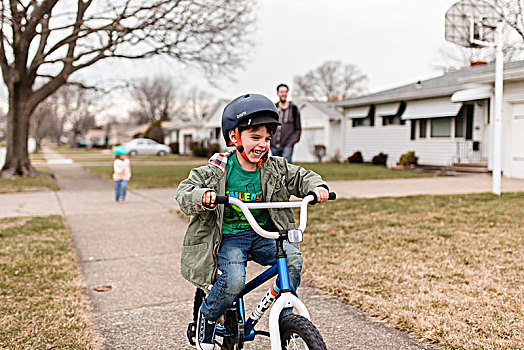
(340, 171)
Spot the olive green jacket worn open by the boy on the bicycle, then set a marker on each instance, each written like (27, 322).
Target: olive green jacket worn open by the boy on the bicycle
(203, 235)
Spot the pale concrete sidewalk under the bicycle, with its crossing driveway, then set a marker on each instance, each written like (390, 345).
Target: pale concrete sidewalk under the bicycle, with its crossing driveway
(135, 248)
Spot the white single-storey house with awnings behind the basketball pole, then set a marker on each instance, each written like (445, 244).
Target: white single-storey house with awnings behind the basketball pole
(445, 120)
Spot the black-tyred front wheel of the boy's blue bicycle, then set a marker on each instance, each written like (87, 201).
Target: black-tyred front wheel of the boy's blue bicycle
(297, 332)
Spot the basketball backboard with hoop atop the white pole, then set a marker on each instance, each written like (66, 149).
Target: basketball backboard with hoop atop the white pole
(471, 16)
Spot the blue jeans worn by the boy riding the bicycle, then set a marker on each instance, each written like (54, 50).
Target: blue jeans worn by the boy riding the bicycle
(232, 258)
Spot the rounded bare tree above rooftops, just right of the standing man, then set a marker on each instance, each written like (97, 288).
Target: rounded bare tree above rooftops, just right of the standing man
(332, 81)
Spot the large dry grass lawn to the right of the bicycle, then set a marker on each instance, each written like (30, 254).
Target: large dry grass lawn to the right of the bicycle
(449, 269)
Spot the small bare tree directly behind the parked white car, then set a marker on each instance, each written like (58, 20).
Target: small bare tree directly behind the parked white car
(156, 99)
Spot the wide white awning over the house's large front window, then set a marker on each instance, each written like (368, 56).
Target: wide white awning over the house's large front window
(432, 108)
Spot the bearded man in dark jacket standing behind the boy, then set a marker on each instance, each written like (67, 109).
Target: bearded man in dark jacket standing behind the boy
(288, 134)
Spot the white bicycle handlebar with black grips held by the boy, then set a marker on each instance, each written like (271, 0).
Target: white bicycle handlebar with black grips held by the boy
(245, 207)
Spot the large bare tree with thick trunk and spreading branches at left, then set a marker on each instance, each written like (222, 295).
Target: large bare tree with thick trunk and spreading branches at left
(49, 40)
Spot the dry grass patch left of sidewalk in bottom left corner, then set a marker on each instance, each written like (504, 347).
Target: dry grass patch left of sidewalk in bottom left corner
(41, 303)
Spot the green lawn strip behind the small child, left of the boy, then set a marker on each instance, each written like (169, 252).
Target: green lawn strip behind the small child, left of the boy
(149, 176)
